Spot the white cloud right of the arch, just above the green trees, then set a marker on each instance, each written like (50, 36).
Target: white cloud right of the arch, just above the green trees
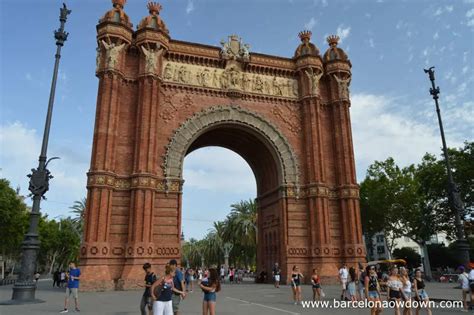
(382, 129)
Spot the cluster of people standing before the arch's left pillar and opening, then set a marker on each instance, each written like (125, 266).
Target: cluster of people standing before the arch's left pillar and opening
(163, 295)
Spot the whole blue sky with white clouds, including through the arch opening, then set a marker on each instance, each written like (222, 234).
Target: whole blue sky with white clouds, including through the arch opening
(389, 43)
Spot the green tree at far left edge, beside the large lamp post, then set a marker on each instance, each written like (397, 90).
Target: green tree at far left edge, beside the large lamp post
(13, 222)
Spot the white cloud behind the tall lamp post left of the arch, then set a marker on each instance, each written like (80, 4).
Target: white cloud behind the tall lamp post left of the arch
(19, 151)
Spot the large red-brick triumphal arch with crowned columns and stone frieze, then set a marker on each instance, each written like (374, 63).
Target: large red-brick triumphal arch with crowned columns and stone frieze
(160, 98)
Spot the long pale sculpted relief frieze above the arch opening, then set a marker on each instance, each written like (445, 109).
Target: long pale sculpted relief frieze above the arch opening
(231, 78)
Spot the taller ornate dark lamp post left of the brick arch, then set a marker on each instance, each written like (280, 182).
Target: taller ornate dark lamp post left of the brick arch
(24, 288)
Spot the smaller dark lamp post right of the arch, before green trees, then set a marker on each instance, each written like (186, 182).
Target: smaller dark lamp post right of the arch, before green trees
(455, 201)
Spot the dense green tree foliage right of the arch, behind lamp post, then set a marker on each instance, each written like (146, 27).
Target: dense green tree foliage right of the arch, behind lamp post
(412, 201)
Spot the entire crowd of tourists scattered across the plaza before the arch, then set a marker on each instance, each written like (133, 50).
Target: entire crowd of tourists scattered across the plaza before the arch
(163, 294)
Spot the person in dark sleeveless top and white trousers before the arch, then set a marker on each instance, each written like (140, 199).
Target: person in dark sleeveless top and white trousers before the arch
(162, 292)
